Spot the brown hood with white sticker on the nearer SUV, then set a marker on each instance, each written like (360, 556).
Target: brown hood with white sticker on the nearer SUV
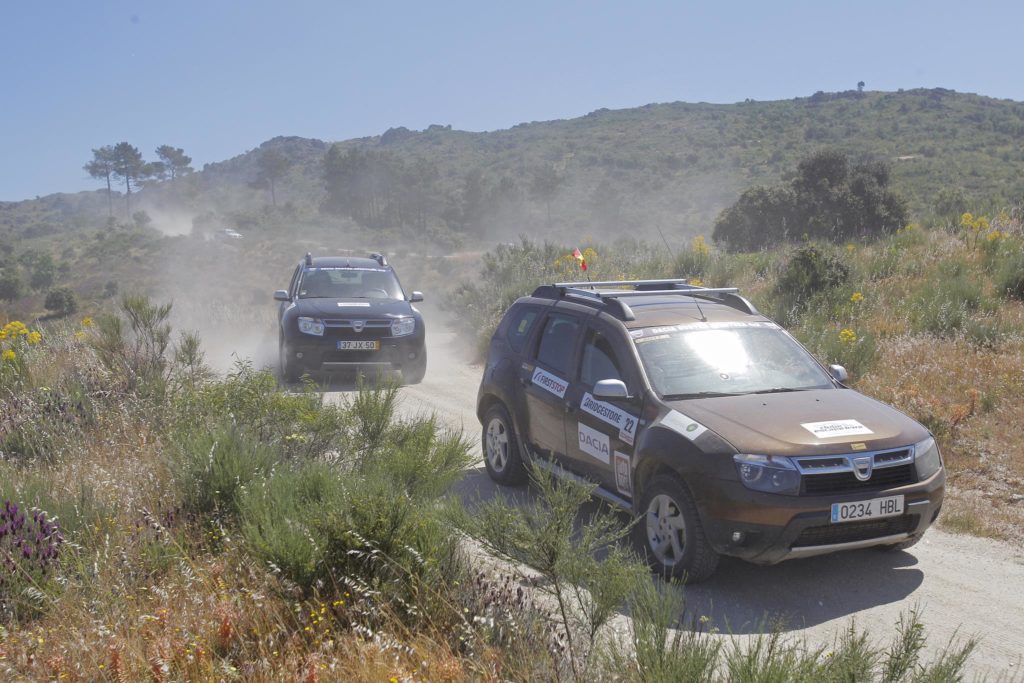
(801, 423)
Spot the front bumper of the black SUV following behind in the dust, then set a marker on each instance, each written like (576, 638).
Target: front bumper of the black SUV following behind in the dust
(321, 355)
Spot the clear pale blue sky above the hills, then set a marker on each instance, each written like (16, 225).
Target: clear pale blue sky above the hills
(220, 78)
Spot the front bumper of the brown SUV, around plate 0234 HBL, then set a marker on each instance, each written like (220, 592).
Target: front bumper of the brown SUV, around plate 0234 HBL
(773, 529)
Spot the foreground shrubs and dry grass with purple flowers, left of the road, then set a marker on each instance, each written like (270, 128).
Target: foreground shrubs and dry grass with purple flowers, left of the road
(161, 524)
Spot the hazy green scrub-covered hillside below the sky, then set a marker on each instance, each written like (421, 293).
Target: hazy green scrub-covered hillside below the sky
(672, 166)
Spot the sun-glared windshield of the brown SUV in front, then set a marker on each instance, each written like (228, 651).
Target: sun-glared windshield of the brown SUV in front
(726, 359)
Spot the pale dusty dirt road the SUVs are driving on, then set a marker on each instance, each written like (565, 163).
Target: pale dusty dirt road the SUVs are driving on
(963, 585)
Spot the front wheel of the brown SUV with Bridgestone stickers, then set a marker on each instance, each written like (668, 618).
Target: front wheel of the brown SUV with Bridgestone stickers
(669, 533)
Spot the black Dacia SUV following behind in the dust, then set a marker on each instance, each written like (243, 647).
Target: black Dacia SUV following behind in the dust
(350, 314)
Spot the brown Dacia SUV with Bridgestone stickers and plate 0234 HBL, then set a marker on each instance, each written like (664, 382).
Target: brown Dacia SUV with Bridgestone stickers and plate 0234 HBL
(688, 408)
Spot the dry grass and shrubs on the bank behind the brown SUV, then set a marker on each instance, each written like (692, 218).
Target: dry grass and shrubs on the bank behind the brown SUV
(929, 319)
